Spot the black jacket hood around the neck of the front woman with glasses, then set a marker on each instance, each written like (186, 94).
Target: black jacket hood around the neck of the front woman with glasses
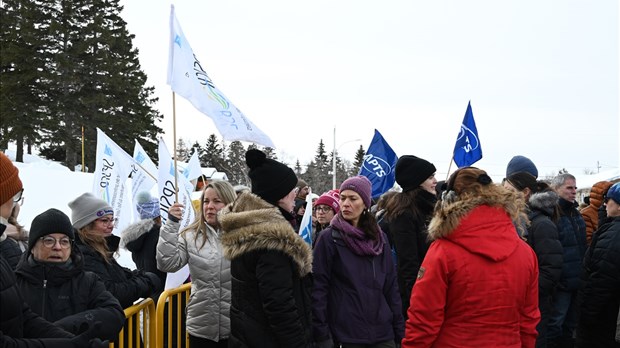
(55, 273)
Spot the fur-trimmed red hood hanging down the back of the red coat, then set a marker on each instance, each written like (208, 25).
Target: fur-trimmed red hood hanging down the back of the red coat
(481, 225)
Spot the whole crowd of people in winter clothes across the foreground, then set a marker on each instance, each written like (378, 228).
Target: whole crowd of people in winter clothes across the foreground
(462, 263)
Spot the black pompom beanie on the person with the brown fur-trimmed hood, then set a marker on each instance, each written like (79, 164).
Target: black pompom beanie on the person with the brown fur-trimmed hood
(271, 180)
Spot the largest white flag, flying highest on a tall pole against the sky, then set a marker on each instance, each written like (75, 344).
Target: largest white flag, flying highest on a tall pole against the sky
(187, 78)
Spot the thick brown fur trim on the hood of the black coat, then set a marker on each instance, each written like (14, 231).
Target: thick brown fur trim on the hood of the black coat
(251, 223)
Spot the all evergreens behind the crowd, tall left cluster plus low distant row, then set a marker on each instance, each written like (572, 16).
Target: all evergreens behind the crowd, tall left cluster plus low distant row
(69, 67)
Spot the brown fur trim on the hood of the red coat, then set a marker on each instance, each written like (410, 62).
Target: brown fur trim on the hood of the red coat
(450, 213)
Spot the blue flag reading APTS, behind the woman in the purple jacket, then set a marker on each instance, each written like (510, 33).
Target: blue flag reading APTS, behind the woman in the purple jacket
(378, 166)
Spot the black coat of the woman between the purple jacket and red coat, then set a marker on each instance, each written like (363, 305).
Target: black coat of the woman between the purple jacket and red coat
(408, 232)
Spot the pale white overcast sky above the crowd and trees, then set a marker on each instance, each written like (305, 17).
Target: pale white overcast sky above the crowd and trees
(542, 75)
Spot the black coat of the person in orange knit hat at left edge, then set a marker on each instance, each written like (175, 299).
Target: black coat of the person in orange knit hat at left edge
(18, 324)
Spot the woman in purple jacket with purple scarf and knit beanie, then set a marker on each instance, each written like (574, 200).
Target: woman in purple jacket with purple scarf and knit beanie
(355, 299)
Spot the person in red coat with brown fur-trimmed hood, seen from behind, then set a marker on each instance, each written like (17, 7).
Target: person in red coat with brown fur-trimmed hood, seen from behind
(478, 284)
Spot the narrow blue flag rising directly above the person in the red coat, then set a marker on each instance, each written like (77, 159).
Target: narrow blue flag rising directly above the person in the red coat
(467, 150)
